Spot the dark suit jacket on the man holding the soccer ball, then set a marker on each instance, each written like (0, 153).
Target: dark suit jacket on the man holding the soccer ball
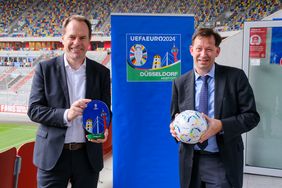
(234, 105)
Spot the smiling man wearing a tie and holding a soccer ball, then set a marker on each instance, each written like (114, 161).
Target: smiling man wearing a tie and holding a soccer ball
(217, 160)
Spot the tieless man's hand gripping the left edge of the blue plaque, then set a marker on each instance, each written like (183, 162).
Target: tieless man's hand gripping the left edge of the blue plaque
(77, 108)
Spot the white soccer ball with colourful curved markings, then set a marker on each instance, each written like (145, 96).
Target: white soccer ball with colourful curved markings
(189, 126)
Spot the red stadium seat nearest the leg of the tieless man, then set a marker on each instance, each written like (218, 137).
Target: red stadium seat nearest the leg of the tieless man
(27, 176)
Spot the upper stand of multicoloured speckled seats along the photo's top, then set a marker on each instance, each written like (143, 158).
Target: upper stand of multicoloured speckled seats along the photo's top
(17, 17)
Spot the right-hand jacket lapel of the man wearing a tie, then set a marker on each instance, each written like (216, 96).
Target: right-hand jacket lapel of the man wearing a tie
(220, 81)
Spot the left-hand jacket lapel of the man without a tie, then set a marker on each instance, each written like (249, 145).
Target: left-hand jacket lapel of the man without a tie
(61, 74)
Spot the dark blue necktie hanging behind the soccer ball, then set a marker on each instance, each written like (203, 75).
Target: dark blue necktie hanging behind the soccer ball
(203, 104)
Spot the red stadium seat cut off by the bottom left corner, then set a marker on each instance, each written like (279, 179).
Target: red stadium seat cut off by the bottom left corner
(7, 164)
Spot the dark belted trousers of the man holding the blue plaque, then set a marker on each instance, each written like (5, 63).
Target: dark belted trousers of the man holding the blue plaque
(72, 166)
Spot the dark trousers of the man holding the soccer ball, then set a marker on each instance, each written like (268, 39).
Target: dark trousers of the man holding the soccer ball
(208, 172)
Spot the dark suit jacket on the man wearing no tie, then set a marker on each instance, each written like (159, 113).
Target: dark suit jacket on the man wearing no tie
(49, 98)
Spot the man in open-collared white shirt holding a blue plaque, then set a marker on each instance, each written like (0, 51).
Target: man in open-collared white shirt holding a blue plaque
(60, 91)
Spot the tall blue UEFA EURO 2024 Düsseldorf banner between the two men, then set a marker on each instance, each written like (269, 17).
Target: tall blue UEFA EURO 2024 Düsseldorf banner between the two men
(148, 51)
